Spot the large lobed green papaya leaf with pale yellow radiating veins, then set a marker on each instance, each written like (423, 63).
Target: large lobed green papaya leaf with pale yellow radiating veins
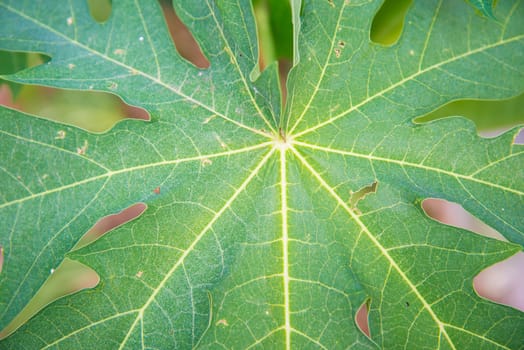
(252, 236)
